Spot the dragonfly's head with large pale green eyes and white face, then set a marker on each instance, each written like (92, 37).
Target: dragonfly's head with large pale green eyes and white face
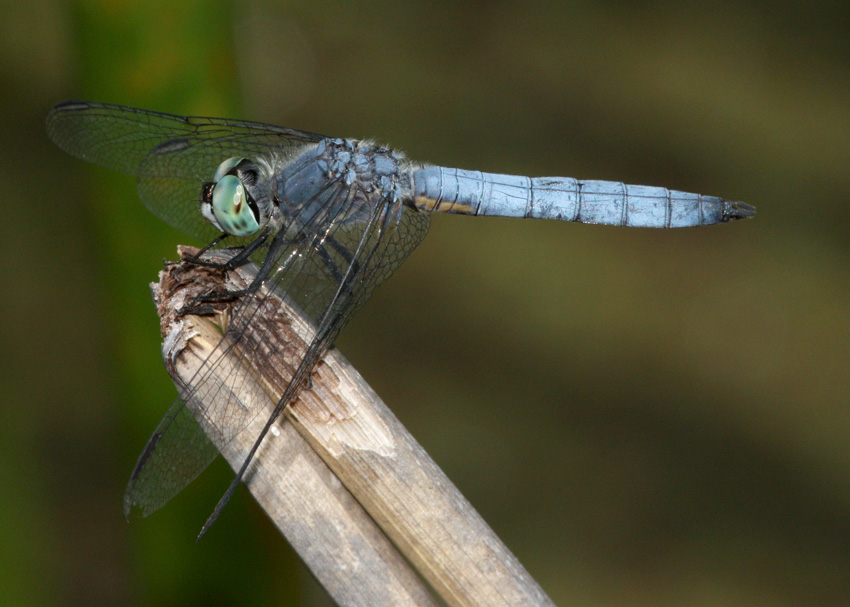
(227, 203)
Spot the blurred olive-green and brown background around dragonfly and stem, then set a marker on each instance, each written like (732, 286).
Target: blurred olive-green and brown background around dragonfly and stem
(644, 417)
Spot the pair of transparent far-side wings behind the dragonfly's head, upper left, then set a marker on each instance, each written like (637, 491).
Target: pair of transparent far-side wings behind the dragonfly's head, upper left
(171, 155)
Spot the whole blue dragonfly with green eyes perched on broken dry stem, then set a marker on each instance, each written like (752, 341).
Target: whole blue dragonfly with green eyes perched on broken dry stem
(326, 220)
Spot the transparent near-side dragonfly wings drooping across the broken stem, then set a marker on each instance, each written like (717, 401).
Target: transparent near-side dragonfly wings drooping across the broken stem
(328, 267)
